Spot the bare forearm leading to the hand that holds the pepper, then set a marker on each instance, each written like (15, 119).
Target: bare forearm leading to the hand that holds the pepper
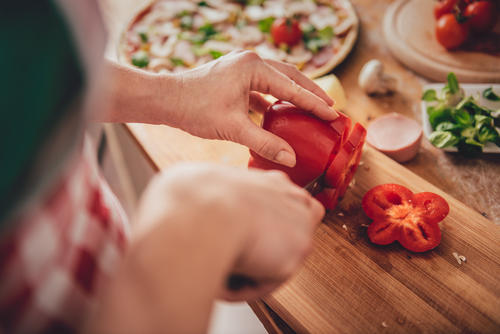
(135, 96)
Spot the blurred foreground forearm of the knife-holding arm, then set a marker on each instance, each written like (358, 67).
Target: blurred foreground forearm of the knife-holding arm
(177, 296)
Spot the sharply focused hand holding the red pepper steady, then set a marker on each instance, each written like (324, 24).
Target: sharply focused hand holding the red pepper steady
(215, 98)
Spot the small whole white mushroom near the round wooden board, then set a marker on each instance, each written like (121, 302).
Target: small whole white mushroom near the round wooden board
(373, 80)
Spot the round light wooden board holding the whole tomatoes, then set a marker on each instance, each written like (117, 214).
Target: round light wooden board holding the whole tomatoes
(409, 33)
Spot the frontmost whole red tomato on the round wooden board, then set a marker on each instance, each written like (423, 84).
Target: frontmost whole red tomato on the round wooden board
(450, 33)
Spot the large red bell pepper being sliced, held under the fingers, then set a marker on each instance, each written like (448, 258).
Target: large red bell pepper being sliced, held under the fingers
(317, 144)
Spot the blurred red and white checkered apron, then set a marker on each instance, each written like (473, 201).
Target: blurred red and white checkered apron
(60, 251)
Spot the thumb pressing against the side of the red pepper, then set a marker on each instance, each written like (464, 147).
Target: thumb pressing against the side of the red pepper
(266, 144)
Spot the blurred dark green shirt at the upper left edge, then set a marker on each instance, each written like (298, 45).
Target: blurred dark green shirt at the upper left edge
(41, 76)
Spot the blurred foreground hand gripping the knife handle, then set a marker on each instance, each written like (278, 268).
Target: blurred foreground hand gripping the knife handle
(267, 217)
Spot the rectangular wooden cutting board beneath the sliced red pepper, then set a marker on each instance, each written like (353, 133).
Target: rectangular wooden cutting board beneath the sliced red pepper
(349, 285)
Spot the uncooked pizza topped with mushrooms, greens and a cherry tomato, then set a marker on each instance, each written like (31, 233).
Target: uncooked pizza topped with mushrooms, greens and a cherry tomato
(176, 35)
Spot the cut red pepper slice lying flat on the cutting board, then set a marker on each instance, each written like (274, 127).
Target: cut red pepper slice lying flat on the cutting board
(399, 215)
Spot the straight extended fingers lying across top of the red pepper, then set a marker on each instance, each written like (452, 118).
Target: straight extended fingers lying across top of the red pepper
(269, 80)
